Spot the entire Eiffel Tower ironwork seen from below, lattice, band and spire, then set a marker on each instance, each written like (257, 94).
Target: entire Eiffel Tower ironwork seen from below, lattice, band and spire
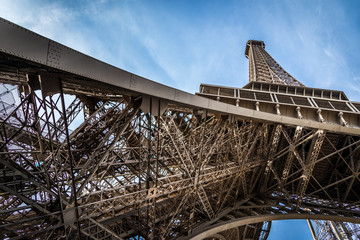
(90, 151)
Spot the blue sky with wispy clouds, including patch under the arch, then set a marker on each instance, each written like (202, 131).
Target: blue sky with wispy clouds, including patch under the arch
(185, 43)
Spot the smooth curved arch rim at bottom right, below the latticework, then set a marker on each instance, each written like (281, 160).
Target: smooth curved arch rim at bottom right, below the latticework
(211, 230)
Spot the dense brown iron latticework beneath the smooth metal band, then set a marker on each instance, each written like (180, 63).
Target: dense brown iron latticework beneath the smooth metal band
(122, 173)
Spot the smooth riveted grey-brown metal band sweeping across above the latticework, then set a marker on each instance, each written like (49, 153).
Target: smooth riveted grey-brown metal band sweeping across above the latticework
(20, 42)
